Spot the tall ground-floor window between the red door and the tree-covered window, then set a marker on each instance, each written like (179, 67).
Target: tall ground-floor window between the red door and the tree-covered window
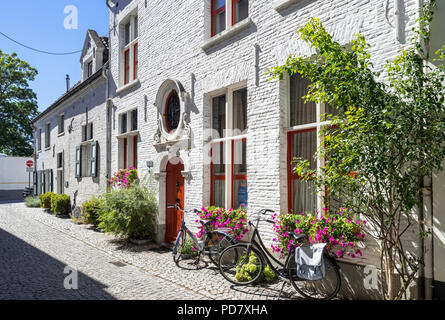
(228, 168)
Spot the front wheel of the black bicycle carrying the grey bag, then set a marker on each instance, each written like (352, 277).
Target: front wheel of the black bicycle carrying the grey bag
(240, 264)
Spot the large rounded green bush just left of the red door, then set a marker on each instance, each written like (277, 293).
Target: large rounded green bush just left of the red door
(129, 213)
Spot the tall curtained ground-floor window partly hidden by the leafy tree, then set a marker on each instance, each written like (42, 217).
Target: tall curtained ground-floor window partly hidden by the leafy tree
(305, 122)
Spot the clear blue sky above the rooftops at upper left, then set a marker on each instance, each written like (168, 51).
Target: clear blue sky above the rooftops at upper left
(40, 24)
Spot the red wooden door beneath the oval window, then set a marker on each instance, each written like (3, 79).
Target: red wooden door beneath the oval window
(175, 194)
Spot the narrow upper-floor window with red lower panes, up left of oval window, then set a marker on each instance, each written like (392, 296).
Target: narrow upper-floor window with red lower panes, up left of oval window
(129, 52)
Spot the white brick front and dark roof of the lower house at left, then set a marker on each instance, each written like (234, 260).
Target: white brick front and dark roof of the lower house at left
(92, 98)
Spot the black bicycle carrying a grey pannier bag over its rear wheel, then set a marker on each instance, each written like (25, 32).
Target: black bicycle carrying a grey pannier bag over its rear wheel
(253, 255)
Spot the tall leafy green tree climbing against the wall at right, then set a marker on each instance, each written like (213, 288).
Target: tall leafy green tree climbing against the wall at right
(386, 137)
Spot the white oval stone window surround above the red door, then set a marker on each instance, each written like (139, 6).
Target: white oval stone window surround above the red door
(162, 97)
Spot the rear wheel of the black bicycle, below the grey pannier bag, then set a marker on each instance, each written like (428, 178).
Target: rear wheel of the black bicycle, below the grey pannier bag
(323, 289)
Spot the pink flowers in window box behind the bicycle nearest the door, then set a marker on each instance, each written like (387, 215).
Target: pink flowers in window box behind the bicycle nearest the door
(234, 220)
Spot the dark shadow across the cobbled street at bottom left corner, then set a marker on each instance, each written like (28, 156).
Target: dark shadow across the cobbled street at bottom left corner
(29, 273)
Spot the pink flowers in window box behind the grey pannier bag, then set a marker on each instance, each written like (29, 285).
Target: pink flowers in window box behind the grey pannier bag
(340, 232)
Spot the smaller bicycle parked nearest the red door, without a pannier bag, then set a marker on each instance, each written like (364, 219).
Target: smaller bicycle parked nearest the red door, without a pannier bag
(188, 247)
